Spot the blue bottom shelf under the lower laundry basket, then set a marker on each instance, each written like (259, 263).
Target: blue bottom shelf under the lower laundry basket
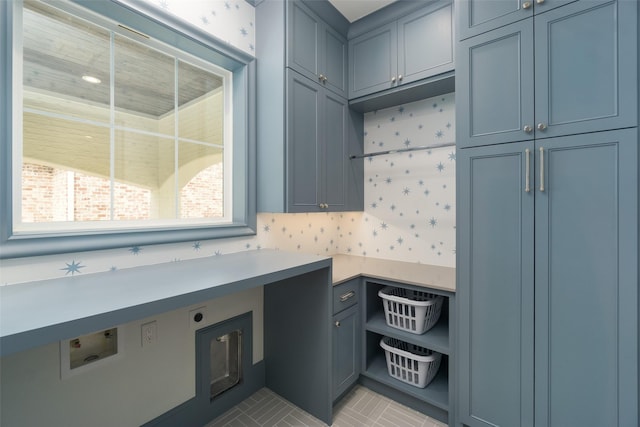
(436, 393)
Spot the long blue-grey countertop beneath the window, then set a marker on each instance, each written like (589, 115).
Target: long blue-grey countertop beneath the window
(27, 323)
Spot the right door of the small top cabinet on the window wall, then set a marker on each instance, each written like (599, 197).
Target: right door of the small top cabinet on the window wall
(334, 61)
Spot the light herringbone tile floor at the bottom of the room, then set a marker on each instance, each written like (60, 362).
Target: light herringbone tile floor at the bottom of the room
(360, 408)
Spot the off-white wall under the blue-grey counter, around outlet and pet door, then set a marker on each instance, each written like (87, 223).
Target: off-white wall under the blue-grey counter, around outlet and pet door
(128, 391)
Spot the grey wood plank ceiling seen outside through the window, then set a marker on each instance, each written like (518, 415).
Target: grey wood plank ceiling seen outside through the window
(59, 49)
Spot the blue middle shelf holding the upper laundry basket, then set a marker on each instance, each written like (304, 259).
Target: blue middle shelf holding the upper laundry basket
(436, 338)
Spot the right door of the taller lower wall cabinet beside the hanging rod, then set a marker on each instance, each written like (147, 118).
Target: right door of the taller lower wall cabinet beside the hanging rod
(334, 156)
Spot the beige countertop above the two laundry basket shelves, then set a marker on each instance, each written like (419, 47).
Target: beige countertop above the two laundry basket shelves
(346, 267)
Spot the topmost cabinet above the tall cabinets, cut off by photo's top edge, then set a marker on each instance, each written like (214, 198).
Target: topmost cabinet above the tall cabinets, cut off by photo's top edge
(478, 16)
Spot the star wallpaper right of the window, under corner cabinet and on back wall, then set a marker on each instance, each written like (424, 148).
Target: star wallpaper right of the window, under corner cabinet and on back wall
(409, 213)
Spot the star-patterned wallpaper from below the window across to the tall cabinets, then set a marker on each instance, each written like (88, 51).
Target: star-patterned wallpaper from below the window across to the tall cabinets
(409, 212)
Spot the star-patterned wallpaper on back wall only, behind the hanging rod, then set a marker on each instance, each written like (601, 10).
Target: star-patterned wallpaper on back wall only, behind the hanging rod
(410, 196)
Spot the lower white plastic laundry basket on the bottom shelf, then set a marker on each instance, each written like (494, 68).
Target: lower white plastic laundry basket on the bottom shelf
(410, 363)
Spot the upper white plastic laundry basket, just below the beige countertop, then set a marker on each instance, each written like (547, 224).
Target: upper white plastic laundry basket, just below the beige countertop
(409, 310)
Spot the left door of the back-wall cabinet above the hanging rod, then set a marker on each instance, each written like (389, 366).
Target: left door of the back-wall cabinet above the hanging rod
(373, 61)
